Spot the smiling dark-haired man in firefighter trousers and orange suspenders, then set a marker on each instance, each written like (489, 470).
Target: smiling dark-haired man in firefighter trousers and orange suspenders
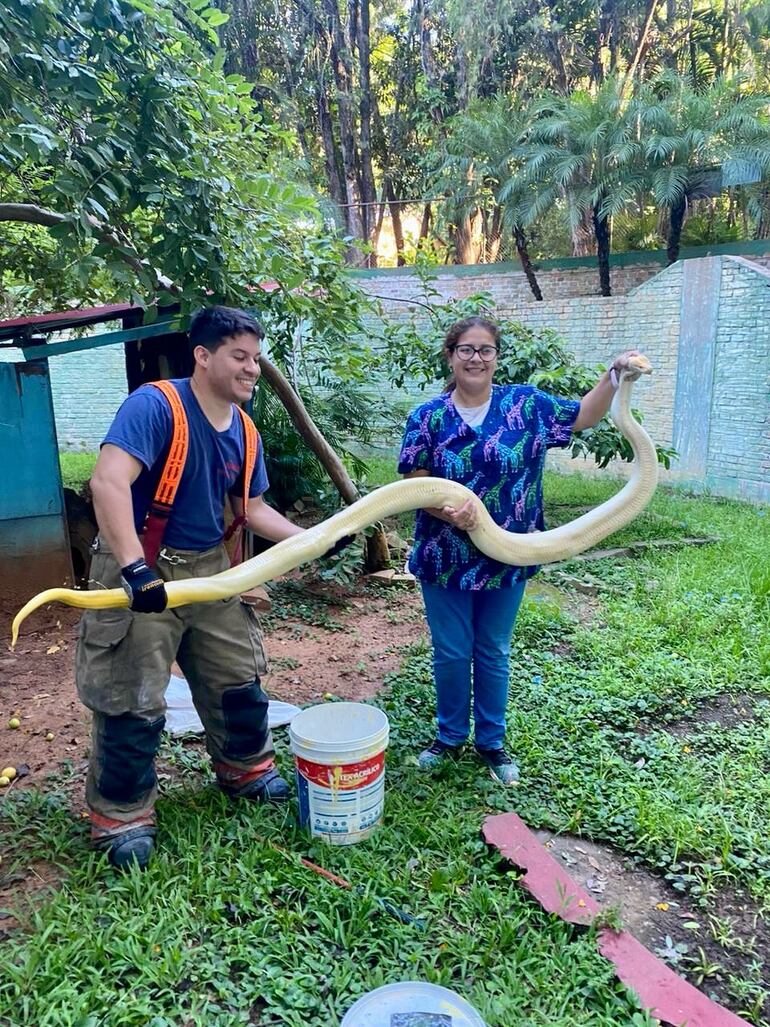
(173, 458)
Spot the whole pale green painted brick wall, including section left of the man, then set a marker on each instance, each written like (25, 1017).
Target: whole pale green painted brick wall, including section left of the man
(645, 313)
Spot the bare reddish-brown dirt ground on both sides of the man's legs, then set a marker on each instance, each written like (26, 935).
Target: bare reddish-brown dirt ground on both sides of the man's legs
(348, 650)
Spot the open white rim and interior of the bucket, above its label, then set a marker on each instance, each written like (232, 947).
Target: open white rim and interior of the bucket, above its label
(334, 727)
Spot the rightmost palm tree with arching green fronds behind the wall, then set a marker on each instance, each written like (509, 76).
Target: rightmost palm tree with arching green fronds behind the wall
(695, 143)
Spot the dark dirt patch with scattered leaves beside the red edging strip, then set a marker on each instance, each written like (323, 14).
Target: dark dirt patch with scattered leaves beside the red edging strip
(730, 940)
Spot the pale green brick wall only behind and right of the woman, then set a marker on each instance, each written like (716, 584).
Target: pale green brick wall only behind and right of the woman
(648, 317)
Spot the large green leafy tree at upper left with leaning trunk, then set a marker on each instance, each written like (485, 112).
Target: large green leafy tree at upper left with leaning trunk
(136, 168)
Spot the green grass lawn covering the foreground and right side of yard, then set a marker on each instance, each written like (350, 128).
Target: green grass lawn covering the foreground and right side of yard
(225, 930)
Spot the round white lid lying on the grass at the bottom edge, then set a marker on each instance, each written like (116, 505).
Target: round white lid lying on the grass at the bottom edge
(402, 1006)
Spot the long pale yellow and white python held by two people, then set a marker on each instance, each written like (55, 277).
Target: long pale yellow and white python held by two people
(415, 493)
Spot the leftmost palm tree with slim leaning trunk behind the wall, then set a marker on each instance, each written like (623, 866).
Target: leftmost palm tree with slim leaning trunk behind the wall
(482, 173)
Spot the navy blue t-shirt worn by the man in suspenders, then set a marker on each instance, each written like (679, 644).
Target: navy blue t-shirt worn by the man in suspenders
(143, 428)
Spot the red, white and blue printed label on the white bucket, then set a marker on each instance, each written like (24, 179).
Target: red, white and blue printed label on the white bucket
(343, 804)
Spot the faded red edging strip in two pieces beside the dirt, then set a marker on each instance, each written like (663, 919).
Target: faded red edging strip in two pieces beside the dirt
(663, 993)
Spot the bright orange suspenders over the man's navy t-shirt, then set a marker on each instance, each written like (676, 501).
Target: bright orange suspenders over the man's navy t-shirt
(166, 493)
